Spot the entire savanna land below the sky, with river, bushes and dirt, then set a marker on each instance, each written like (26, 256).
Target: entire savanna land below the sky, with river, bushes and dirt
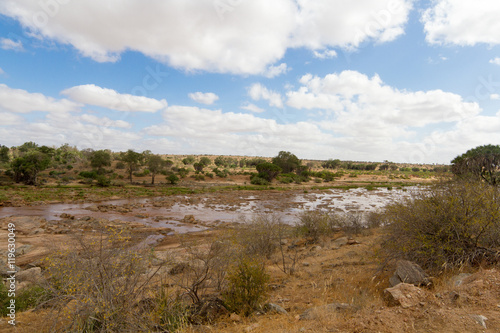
(139, 242)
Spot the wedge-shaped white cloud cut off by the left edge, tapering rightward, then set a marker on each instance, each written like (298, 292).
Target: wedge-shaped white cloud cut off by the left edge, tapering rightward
(21, 101)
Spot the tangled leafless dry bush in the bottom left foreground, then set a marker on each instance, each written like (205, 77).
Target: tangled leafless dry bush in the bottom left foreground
(100, 285)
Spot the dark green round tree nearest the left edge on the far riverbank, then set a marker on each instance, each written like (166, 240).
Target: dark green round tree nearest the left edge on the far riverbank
(27, 167)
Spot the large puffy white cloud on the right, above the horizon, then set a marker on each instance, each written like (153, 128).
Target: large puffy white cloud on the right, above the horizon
(357, 105)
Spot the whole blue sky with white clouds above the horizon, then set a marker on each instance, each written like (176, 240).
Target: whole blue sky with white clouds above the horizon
(363, 80)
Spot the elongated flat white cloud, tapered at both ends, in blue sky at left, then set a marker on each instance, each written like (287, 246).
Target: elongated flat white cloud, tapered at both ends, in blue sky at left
(109, 98)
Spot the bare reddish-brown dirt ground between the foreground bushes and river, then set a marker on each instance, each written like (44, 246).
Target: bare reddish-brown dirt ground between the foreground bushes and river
(336, 270)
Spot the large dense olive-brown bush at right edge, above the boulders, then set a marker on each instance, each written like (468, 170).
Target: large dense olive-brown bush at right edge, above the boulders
(450, 225)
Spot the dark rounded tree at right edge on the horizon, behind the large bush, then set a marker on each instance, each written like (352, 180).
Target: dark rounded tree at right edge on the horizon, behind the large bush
(482, 162)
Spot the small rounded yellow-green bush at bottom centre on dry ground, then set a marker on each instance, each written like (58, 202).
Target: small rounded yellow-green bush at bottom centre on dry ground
(247, 286)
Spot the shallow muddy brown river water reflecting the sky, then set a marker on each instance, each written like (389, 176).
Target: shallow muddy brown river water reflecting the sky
(211, 209)
